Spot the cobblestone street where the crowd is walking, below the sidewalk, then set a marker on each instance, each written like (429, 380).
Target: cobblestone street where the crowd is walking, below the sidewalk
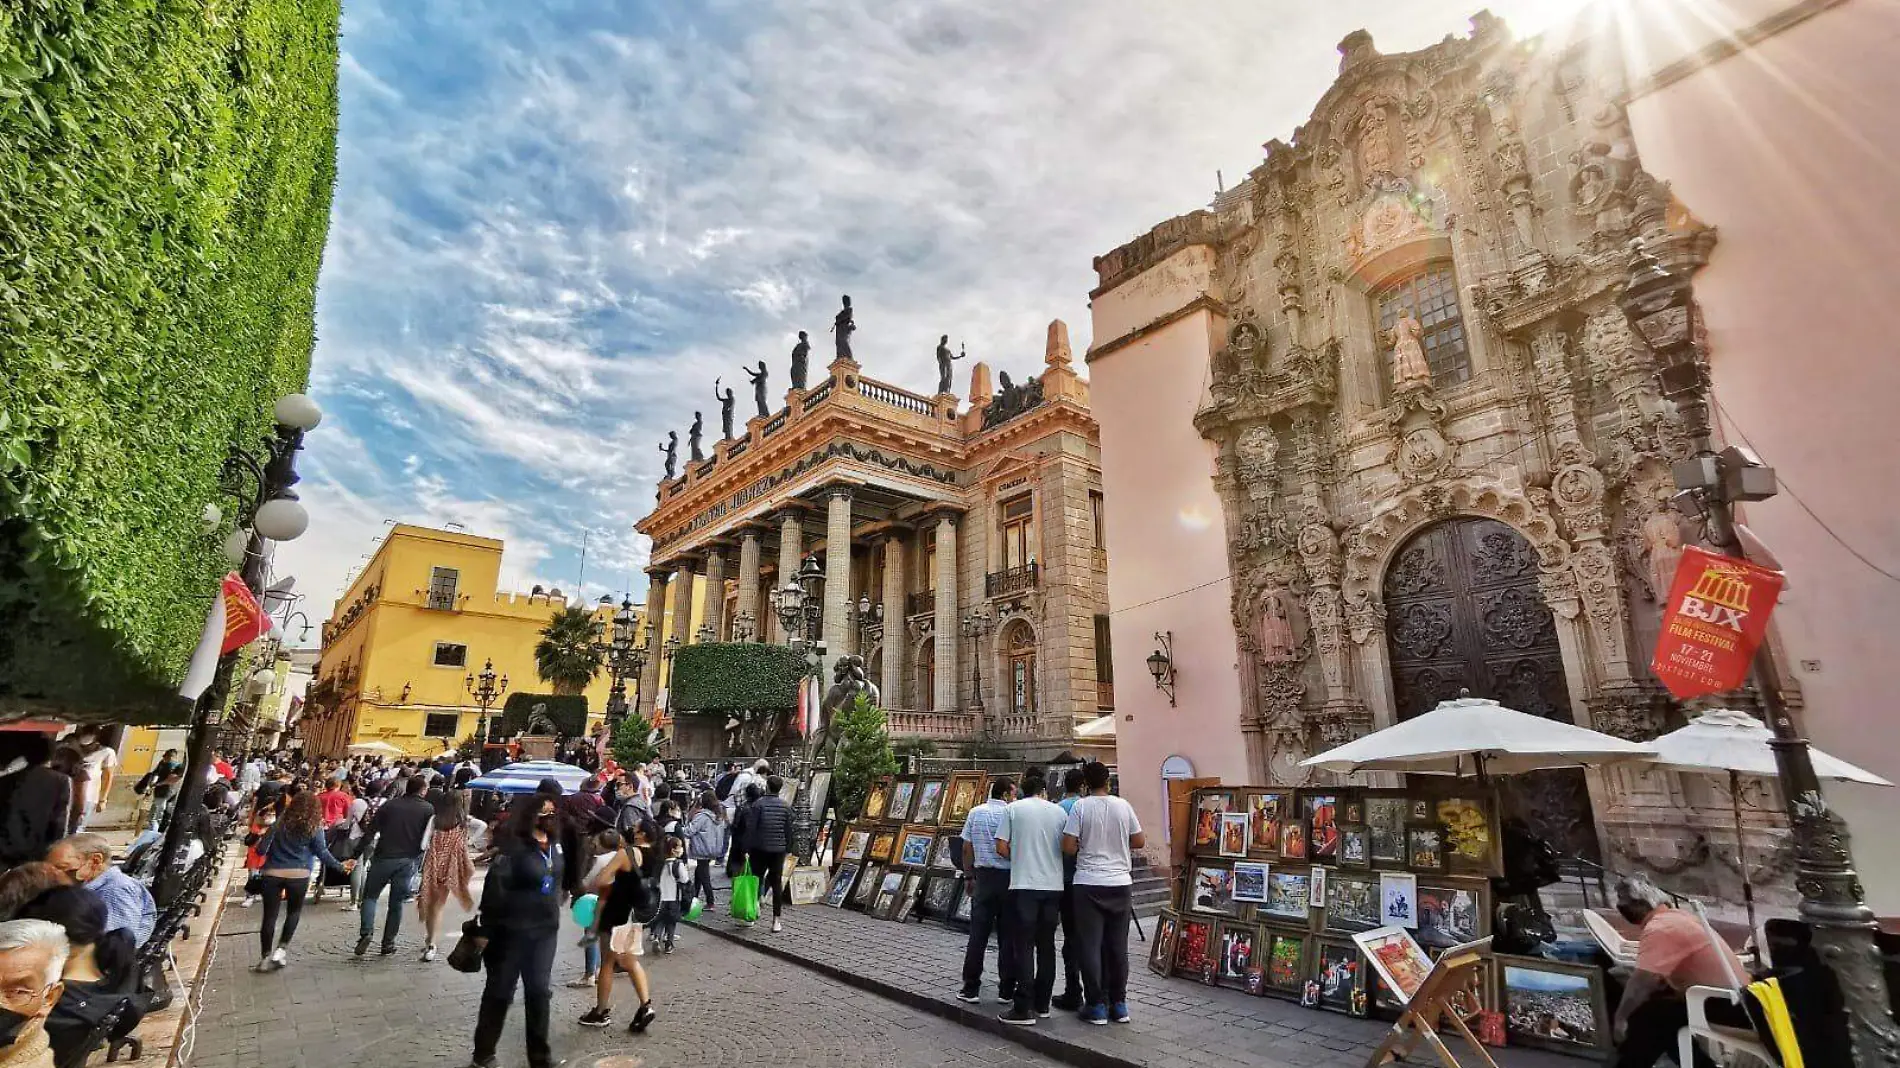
(719, 1008)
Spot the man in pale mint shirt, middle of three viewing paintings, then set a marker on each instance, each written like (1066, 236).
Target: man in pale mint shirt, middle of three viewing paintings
(1031, 837)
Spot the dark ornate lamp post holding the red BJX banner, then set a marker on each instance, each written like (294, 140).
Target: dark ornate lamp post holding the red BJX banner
(1662, 311)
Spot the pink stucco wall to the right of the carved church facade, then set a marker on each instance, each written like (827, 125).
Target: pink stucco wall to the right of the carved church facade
(1793, 151)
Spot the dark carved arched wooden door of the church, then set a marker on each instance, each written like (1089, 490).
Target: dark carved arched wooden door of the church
(1464, 613)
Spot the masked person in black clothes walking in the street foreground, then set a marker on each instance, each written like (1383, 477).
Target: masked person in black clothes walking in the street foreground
(522, 921)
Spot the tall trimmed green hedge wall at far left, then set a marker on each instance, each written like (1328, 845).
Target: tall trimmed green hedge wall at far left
(166, 176)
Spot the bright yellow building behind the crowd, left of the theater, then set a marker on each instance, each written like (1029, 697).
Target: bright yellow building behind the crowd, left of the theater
(404, 639)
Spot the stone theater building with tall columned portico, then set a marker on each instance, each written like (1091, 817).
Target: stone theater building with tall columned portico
(972, 531)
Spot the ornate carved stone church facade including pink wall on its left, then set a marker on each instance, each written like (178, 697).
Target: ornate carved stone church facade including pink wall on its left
(1377, 434)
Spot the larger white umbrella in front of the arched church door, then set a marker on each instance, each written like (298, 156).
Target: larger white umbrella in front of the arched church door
(1473, 734)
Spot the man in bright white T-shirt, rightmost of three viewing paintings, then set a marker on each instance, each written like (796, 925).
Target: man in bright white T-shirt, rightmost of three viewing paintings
(1103, 837)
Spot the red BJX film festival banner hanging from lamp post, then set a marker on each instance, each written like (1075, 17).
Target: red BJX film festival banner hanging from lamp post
(1717, 617)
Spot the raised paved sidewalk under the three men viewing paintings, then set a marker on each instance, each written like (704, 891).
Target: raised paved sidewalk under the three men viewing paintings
(1177, 1023)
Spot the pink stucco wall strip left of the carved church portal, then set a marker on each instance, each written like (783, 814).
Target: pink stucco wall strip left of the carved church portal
(1168, 552)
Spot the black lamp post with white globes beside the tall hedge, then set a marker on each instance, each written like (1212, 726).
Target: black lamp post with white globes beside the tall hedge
(267, 510)
